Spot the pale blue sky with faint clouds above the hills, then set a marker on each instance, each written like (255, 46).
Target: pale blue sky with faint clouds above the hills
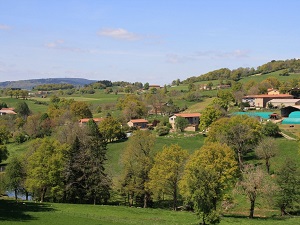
(154, 41)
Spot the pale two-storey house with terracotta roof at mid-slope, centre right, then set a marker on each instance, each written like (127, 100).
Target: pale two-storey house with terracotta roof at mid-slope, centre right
(192, 118)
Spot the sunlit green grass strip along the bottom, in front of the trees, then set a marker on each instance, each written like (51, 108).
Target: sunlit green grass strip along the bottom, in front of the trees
(12, 213)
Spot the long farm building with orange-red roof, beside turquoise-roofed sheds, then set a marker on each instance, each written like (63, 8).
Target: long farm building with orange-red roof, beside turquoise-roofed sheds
(260, 101)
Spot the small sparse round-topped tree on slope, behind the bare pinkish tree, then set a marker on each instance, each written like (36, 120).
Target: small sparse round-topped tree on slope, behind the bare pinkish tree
(265, 150)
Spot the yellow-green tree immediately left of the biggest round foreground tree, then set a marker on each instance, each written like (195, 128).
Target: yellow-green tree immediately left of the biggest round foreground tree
(167, 170)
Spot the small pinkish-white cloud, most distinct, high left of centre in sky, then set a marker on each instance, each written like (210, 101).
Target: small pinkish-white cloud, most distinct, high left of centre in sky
(119, 33)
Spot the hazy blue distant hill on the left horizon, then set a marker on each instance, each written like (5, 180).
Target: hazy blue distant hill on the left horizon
(29, 84)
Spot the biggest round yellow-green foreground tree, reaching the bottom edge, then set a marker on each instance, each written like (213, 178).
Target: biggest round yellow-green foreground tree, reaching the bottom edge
(208, 173)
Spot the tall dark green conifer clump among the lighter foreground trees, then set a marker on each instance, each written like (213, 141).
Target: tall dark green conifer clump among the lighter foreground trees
(84, 172)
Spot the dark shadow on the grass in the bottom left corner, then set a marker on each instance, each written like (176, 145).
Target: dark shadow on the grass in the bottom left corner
(11, 210)
